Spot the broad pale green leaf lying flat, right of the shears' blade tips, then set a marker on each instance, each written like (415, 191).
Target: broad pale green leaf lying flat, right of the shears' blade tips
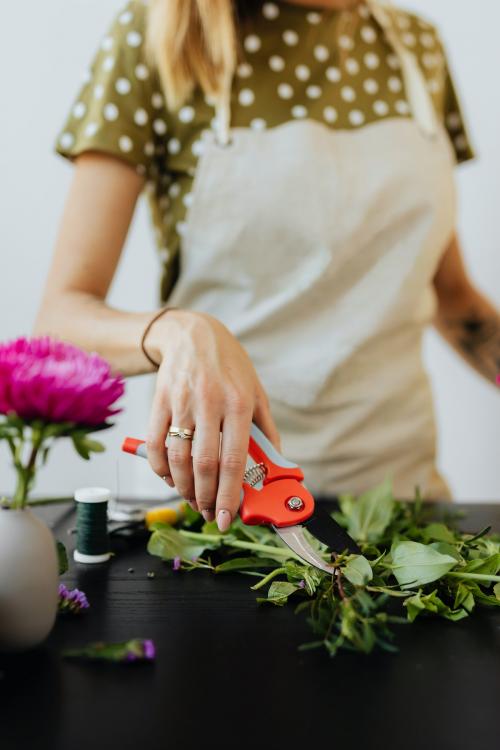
(415, 564)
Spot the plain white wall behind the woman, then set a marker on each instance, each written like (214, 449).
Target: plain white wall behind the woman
(43, 56)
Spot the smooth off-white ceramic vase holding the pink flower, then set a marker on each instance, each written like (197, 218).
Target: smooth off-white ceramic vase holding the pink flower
(29, 577)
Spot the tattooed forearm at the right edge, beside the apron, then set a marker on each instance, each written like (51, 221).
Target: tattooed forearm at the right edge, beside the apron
(471, 324)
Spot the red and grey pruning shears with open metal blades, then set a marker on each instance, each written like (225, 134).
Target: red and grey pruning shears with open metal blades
(273, 493)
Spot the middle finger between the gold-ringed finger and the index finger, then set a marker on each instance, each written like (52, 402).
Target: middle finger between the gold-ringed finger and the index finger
(206, 463)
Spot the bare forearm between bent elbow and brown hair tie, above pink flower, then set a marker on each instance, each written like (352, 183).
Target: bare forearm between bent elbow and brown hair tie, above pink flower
(88, 322)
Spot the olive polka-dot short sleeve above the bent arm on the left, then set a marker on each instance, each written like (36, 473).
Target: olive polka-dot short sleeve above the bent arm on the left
(114, 110)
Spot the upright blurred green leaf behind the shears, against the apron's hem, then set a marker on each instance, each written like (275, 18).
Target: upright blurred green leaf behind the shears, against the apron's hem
(369, 515)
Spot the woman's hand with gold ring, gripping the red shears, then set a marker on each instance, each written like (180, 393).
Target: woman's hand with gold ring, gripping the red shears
(206, 382)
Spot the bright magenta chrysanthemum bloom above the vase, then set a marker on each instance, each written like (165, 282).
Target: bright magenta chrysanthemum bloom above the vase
(57, 382)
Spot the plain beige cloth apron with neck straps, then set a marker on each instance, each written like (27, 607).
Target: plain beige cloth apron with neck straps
(317, 249)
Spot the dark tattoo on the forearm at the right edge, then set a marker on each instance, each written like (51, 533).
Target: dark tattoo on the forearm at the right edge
(476, 336)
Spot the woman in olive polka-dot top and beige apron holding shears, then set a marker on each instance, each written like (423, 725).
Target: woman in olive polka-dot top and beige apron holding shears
(298, 159)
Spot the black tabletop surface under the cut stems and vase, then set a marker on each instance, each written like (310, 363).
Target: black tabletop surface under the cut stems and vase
(228, 672)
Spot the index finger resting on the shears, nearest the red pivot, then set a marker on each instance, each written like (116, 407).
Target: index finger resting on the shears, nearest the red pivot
(234, 451)
